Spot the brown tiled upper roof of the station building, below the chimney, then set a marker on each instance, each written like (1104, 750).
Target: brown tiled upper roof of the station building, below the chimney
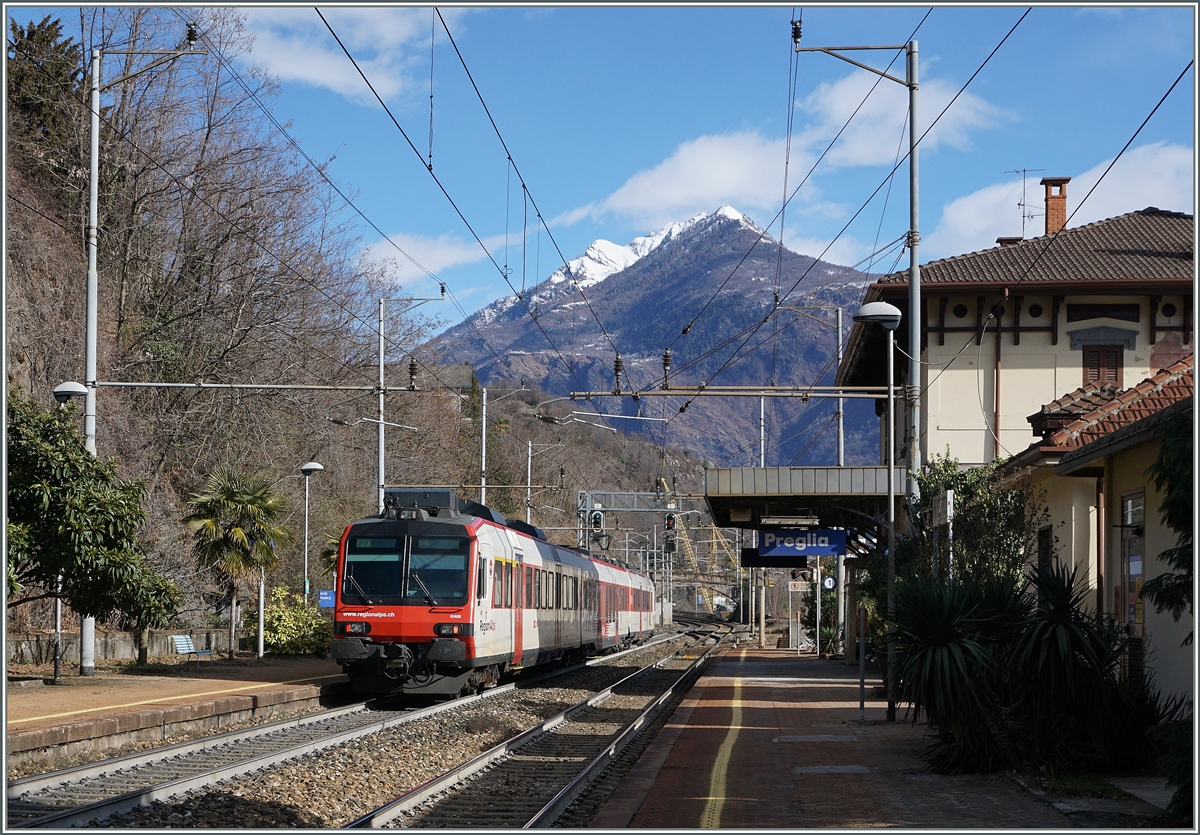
(1148, 244)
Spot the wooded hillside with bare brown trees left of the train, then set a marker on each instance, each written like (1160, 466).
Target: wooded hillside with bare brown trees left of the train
(226, 257)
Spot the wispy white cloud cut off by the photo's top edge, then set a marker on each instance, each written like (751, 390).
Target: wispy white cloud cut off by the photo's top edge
(387, 43)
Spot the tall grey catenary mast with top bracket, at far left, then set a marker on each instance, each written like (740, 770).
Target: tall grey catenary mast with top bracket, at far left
(88, 626)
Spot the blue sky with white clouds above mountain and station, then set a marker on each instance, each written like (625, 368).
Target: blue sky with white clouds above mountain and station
(623, 119)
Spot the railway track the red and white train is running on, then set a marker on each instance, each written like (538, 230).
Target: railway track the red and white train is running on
(88, 794)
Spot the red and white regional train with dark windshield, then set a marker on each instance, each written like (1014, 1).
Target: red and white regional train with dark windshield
(440, 596)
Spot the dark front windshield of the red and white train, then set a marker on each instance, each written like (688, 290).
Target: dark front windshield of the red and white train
(406, 572)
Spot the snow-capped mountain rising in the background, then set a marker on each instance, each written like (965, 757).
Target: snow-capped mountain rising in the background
(689, 286)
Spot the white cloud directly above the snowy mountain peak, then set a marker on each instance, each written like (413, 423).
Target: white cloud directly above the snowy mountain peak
(741, 170)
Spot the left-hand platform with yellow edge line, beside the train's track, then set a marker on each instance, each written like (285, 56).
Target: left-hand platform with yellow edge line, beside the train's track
(103, 712)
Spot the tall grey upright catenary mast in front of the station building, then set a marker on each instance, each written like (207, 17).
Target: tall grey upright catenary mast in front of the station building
(916, 314)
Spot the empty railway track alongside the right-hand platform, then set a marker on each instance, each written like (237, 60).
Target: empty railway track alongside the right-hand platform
(535, 778)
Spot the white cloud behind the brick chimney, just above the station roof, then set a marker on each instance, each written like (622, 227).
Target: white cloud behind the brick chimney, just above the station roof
(1159, 175)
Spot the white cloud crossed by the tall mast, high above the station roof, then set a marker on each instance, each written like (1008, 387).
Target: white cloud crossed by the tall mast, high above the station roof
(880, 127)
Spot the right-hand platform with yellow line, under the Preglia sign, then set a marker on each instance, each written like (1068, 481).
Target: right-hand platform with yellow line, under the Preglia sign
(772, 741)
